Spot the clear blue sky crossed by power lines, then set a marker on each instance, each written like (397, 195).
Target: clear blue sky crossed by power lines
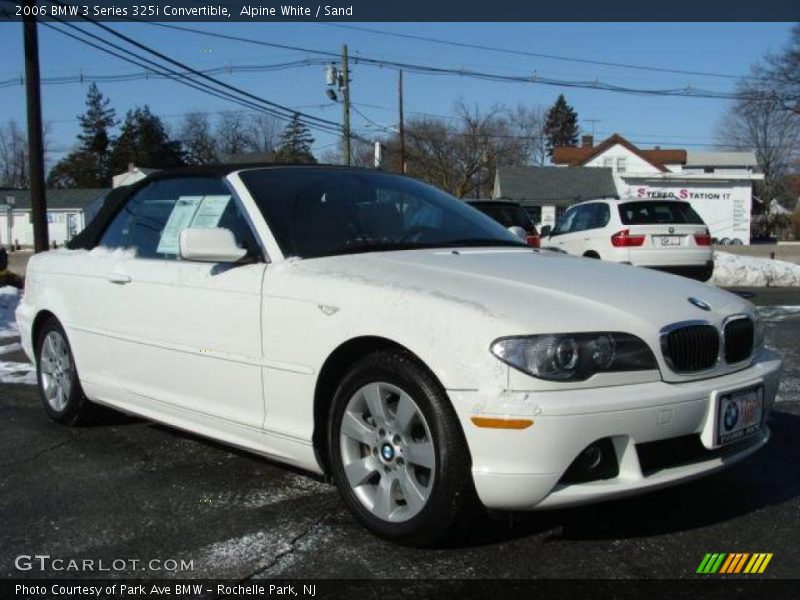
(723, 49)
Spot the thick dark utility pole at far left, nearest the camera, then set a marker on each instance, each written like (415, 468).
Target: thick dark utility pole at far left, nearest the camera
(33, 92)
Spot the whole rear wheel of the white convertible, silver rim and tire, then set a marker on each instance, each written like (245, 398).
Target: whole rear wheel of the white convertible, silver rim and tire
(59, 387)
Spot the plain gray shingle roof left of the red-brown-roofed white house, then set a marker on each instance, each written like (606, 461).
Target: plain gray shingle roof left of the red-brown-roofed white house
(558, 186)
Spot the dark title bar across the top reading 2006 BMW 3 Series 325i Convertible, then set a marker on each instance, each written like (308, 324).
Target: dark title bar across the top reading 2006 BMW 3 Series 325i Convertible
(403, 10)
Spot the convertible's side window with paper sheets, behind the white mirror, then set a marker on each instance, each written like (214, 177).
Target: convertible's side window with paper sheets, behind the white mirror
(152, 220)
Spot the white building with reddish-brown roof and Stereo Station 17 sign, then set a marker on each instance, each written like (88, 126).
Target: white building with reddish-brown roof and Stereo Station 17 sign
(719, 185)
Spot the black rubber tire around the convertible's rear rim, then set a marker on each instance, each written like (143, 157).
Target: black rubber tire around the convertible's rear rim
(76, 409)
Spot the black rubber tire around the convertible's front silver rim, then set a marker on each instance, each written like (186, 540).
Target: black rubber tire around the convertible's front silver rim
(452, 492)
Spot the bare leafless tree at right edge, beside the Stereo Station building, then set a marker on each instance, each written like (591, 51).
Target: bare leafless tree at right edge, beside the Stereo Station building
(759, 122)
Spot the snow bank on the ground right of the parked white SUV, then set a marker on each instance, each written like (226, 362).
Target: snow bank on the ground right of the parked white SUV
(732, 270)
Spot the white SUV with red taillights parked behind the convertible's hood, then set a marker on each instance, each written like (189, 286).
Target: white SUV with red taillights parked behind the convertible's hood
(661, 234)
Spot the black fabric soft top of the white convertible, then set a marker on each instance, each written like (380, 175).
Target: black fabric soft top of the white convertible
(118, 197)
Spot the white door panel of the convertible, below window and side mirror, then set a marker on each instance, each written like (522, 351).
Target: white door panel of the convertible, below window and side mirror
(190, 336)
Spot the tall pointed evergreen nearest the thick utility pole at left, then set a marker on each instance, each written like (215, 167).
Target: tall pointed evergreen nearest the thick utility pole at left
(88, 165)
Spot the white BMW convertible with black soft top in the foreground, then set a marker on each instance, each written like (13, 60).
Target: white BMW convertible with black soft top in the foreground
(368, 327)
